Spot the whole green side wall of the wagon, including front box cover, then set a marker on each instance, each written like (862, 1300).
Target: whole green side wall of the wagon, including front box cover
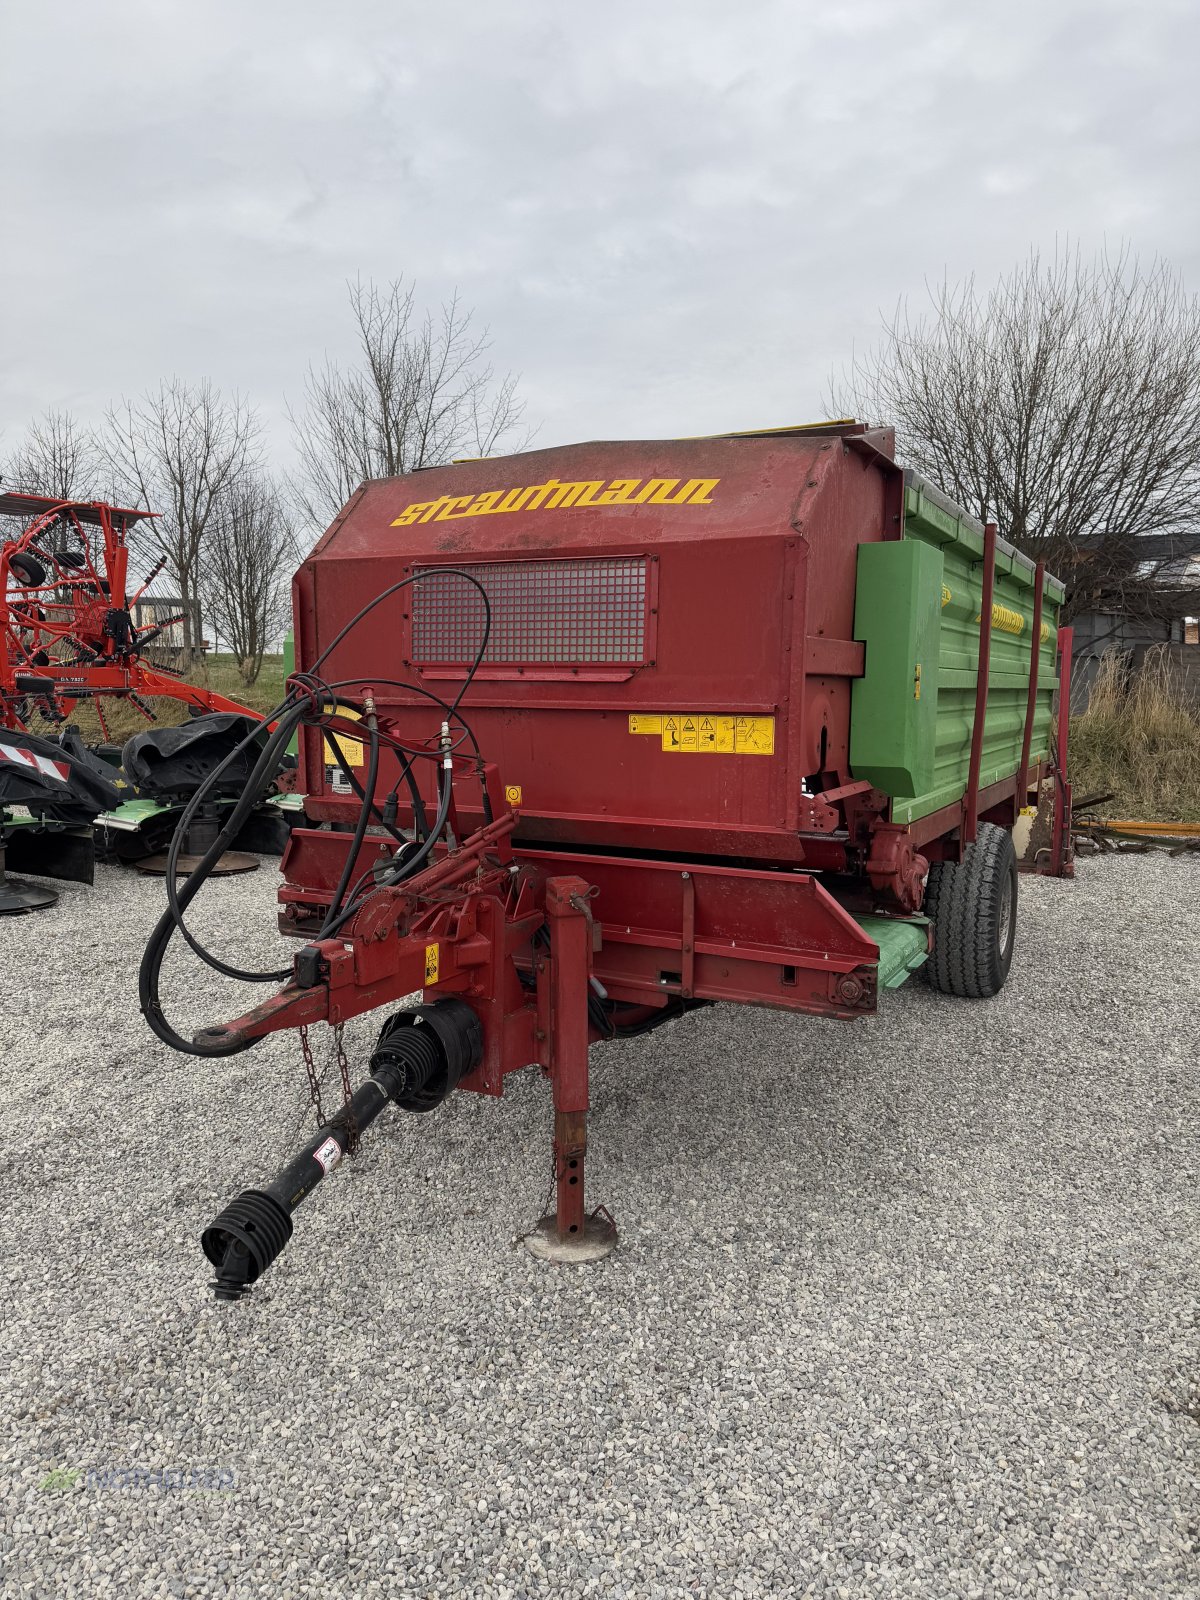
(919, 751)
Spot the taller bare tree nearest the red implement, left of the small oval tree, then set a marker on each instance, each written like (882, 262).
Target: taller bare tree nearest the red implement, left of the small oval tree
(182, 450)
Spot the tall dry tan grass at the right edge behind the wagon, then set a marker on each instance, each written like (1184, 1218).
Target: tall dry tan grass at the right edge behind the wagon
(1140, 740)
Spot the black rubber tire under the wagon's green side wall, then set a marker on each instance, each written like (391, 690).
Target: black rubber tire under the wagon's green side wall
(972, 905)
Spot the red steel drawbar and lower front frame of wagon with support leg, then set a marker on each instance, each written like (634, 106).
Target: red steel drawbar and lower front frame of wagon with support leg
(790, 945)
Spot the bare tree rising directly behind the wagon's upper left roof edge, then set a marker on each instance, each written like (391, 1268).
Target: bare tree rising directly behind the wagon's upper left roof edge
(422, 393)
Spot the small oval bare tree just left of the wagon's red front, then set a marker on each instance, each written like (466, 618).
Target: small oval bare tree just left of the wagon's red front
(249, 559)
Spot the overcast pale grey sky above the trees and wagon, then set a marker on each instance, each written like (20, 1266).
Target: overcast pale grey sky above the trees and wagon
(674, 217)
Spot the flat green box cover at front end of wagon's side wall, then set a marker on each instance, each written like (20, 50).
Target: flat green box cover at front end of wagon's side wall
(894, 721)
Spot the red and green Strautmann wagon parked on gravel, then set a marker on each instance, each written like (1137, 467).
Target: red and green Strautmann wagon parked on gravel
(617, 730)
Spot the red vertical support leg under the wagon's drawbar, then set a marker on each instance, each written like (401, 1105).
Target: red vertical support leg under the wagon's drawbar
(570, 930)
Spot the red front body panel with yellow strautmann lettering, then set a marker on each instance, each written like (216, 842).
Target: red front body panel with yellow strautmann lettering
(751, 614)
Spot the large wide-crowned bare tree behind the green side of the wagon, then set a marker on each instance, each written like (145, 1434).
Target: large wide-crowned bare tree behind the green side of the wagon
(1065, 406)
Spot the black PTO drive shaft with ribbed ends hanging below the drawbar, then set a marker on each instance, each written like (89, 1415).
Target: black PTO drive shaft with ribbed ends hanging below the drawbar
(420, 1058)
